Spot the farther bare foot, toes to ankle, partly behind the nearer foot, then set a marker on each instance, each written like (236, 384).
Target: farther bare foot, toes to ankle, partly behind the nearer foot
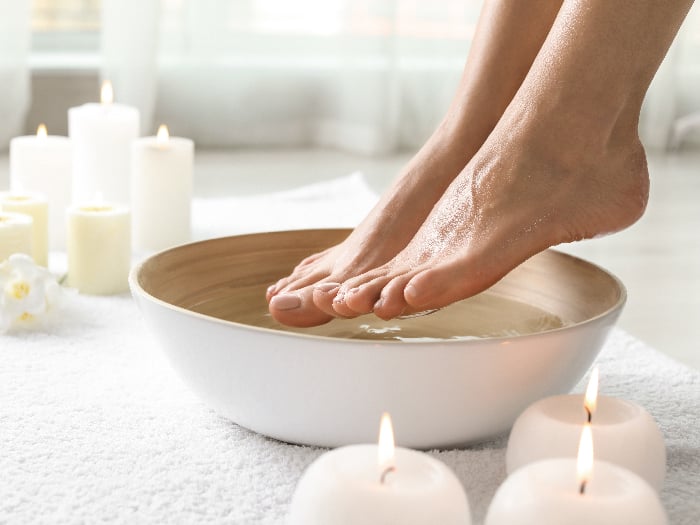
(305, 297)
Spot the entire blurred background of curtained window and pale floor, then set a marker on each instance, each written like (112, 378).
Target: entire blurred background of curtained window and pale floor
(280, 93)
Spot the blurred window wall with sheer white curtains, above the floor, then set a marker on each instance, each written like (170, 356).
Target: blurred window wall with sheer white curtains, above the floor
(366, 76)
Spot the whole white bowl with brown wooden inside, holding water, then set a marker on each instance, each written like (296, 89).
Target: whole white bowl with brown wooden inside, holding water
(539, 330)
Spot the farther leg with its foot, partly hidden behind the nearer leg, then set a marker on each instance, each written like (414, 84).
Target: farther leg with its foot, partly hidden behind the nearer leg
(508, 38)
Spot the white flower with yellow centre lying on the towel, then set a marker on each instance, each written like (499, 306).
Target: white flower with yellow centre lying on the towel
(27, 291)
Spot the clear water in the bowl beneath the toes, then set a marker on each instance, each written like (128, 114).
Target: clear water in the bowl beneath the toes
(483, 316)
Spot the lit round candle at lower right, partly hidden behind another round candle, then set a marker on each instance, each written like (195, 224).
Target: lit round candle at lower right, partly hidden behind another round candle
(625, 433)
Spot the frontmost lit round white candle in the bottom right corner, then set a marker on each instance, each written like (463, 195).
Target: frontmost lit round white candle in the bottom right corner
(576, 492)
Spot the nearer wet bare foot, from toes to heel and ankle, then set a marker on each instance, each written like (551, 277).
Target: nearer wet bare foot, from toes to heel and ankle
(520, 194)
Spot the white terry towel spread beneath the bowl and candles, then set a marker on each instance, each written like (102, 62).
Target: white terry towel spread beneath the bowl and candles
(95, 426)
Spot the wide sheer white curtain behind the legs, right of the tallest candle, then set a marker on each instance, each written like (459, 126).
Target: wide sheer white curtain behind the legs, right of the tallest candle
(369, 76)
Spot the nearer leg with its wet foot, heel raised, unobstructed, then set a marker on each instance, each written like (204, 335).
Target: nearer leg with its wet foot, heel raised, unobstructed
(564, 162)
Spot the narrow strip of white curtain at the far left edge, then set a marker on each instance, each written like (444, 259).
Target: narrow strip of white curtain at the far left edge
(15, 37)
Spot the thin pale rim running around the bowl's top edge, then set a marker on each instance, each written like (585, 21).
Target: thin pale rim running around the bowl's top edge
(136, 288)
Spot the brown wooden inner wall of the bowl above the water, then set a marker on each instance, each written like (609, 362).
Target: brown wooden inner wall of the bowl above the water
(222, 277)
